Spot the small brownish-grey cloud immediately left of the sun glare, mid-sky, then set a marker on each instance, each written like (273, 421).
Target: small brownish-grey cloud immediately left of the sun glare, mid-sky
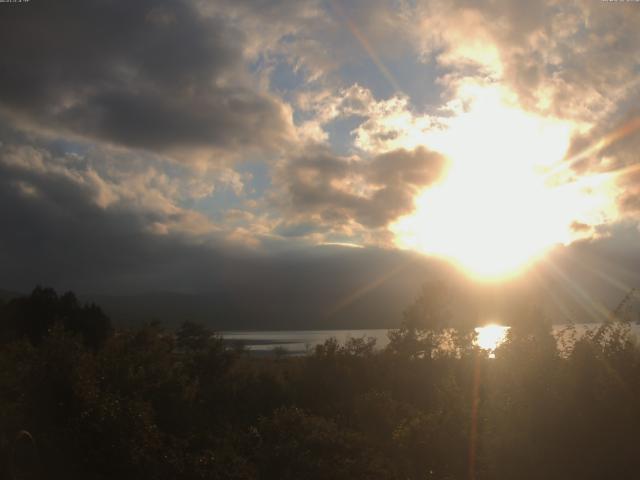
(370, 192)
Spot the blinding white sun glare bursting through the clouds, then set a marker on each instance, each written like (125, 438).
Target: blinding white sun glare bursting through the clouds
(497, 210)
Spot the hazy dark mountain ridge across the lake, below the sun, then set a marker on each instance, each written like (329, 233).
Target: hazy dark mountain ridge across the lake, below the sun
(339, 290)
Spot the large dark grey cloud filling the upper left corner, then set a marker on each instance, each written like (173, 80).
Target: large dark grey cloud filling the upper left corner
(149, 74)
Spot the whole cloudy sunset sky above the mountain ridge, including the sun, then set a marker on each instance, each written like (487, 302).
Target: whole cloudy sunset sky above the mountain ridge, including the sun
(184, 145)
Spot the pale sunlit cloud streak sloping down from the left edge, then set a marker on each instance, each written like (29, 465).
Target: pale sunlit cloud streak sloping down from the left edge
(71, 185)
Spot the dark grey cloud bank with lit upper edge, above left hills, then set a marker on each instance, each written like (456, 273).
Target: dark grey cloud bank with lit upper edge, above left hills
(65, 225)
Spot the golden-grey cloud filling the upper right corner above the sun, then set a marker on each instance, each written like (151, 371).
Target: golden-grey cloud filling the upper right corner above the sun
(573, 60)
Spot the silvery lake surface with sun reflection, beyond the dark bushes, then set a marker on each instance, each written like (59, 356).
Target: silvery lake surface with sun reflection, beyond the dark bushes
(298, 342)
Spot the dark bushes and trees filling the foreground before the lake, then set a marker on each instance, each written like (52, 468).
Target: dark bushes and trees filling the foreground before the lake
(80, 400)
